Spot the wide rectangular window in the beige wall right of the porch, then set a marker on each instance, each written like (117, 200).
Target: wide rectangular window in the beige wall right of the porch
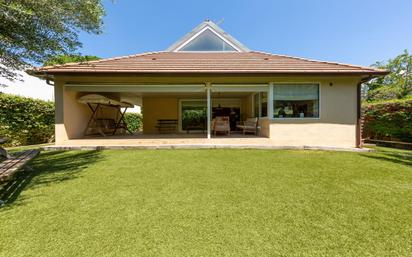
(296, 101)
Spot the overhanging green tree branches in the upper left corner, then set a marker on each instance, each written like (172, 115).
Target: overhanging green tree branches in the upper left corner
(32, 31)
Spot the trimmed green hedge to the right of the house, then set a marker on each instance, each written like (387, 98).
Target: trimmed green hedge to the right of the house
(388, 121)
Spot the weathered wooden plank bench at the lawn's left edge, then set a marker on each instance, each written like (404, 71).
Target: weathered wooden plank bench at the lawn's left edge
(14, 163)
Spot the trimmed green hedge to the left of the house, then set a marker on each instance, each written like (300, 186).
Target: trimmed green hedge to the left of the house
(26, 121)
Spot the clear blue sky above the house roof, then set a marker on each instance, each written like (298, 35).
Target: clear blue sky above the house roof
(357, 32)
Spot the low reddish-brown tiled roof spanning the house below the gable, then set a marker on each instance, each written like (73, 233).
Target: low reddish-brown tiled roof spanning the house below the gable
(209, 62)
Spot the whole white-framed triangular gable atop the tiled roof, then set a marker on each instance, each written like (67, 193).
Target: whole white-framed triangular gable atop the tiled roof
(207, 37)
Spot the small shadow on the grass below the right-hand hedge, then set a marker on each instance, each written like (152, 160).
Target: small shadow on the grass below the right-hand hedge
(399, 157)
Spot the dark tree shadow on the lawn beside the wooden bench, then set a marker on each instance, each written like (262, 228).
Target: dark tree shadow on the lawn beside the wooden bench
(48, 168)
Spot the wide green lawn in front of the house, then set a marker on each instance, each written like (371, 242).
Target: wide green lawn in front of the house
(211, 203)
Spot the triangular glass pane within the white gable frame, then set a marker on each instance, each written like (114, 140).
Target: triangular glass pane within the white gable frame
(207, 41)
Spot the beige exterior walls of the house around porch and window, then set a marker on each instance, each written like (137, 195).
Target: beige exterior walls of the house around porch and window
(335, 127)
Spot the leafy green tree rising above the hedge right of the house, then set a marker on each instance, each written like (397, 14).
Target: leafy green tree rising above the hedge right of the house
(396, 85)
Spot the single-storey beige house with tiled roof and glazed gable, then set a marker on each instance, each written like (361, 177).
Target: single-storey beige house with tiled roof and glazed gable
(208, 74)
